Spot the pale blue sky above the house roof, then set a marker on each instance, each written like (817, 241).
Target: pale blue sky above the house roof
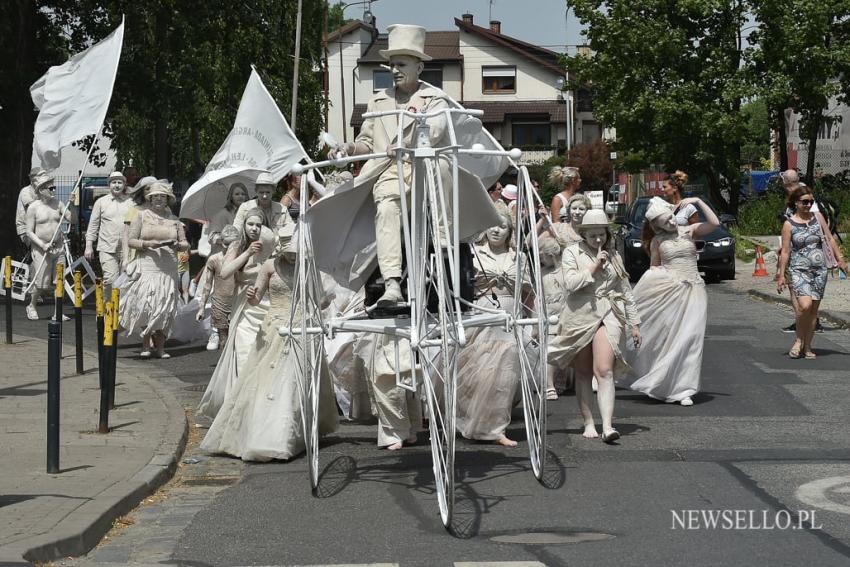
(547, 28)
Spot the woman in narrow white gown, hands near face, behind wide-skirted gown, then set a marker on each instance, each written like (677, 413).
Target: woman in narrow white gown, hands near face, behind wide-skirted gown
(243, 260)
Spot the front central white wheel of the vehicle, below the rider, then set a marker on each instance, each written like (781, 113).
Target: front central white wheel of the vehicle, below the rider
(437, 343)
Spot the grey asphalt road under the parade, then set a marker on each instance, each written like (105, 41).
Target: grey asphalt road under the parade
(766, 437)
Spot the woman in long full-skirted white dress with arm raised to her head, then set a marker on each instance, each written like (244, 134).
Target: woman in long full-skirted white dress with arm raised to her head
(673, 306)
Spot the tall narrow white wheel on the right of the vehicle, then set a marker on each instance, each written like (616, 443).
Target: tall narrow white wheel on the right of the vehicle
(531, 327)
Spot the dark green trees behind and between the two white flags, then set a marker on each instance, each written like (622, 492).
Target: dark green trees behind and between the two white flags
(184, 67)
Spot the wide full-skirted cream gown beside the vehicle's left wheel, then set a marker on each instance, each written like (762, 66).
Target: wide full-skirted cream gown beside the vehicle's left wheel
(261, 418)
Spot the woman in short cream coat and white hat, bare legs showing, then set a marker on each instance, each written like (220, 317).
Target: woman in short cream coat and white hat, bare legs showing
(597, 310)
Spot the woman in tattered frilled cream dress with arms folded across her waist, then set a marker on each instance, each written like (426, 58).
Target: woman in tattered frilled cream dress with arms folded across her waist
(149, 303)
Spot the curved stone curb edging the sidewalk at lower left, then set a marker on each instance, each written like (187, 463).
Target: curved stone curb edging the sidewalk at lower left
(83, 529)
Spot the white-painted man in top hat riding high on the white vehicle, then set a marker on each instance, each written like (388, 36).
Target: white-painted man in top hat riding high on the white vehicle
(406, 56)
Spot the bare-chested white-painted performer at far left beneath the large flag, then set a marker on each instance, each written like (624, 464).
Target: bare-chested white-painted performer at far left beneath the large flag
(47, 242)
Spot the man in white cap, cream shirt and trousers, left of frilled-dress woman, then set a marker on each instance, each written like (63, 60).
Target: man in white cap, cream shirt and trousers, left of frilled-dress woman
(106, 227)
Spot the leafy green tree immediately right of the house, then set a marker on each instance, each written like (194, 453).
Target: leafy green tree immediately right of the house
(667, 76)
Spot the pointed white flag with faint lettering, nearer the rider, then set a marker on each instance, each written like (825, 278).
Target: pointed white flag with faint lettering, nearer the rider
(261, 140)
